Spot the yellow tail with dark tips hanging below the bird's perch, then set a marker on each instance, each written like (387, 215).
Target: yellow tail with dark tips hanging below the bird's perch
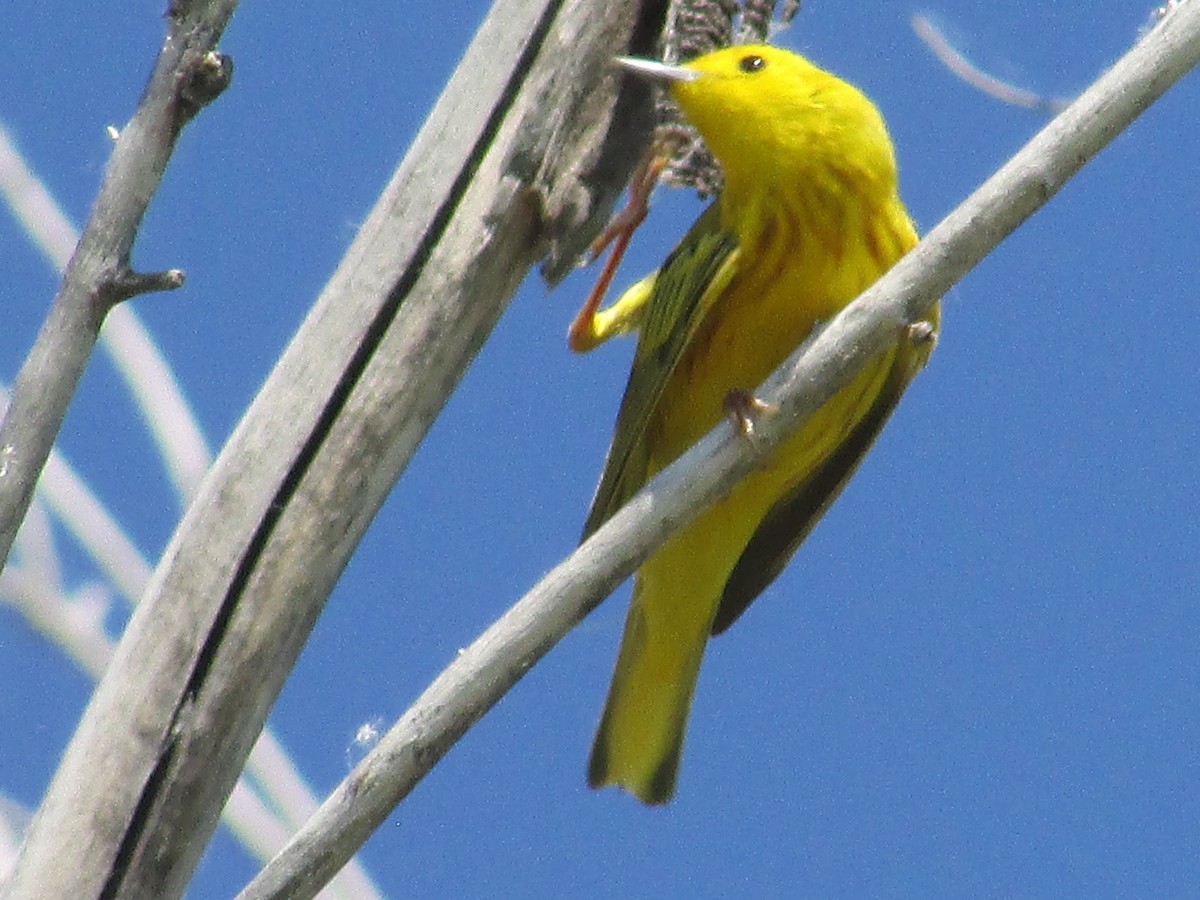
(640, 739)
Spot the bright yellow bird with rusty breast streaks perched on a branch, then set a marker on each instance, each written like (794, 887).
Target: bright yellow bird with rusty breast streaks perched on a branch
(808, 219)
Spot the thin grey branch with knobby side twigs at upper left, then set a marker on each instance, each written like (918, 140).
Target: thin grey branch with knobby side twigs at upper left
(188, 75)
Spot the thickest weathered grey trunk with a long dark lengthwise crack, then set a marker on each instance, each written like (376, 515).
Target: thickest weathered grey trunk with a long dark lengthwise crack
(520, 158)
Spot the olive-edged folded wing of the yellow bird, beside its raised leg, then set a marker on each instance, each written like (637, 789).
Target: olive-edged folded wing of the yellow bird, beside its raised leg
(687, 285)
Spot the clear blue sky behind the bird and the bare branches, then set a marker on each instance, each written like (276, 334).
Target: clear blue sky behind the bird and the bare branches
(979, 677)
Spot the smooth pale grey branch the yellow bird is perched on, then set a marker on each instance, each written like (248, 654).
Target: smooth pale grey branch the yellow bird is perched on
(485, 671)
